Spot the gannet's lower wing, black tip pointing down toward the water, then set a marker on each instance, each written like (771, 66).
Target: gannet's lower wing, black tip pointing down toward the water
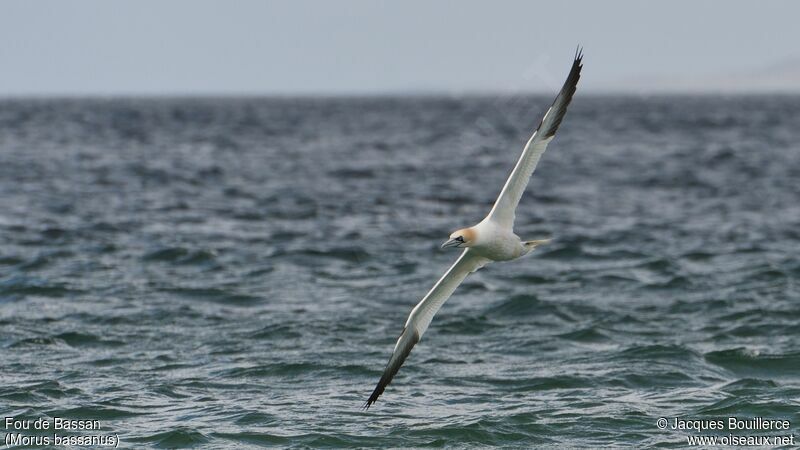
(423, 313)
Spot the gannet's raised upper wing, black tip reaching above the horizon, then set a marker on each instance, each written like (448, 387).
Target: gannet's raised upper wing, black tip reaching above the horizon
(503, 210)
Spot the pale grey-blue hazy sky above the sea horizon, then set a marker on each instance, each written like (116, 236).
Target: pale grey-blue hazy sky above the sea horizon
(340, 47)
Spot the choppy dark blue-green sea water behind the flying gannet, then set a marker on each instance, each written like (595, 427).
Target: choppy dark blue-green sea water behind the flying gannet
(233, 273)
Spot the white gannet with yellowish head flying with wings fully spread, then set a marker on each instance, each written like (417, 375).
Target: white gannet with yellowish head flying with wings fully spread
(492, 239)
